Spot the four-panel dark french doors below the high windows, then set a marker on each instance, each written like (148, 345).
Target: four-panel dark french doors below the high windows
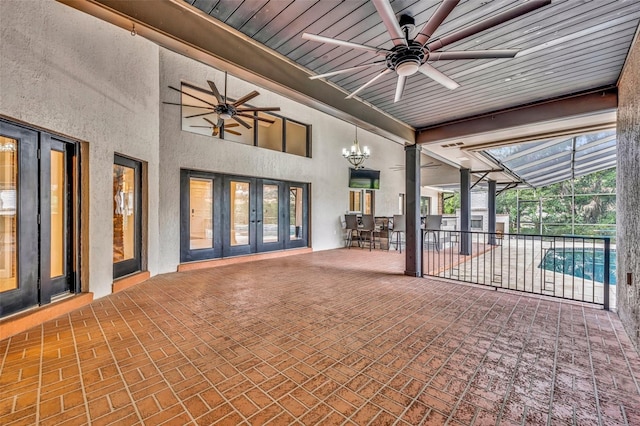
(224, 215)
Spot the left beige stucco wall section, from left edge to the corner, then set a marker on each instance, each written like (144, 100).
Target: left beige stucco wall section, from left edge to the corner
(74, 75)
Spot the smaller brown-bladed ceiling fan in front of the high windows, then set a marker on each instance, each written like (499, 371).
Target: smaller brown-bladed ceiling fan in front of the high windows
(224, 108)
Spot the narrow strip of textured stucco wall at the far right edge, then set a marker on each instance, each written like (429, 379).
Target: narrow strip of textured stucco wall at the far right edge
(628, 199)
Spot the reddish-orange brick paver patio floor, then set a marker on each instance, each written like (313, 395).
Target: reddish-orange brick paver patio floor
(335, 337)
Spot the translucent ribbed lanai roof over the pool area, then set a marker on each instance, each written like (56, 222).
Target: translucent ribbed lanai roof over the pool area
(545, 162)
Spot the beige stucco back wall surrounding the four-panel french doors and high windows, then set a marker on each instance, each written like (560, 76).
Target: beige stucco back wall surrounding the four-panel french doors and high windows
(326, 171)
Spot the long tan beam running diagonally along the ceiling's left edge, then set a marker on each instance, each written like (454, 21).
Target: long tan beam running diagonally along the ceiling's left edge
(182, 28)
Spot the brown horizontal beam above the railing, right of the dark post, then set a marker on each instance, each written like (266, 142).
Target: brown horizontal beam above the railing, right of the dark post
(553, 110)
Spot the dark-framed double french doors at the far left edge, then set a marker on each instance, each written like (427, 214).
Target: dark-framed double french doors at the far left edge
(37, 217)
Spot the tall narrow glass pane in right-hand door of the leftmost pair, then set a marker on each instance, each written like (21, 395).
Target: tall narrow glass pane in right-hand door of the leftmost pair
(57, 213)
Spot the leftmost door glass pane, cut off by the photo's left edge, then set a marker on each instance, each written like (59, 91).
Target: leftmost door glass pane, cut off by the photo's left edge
(8, 211)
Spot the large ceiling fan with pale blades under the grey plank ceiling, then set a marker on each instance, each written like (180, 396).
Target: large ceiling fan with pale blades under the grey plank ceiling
(409, 56)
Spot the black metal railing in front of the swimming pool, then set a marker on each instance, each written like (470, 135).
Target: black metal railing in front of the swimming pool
(569, 267)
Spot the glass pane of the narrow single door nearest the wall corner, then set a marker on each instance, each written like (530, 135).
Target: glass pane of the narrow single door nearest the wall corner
(124, 213)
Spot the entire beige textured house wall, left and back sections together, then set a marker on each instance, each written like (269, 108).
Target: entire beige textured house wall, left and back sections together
(75, 75)
